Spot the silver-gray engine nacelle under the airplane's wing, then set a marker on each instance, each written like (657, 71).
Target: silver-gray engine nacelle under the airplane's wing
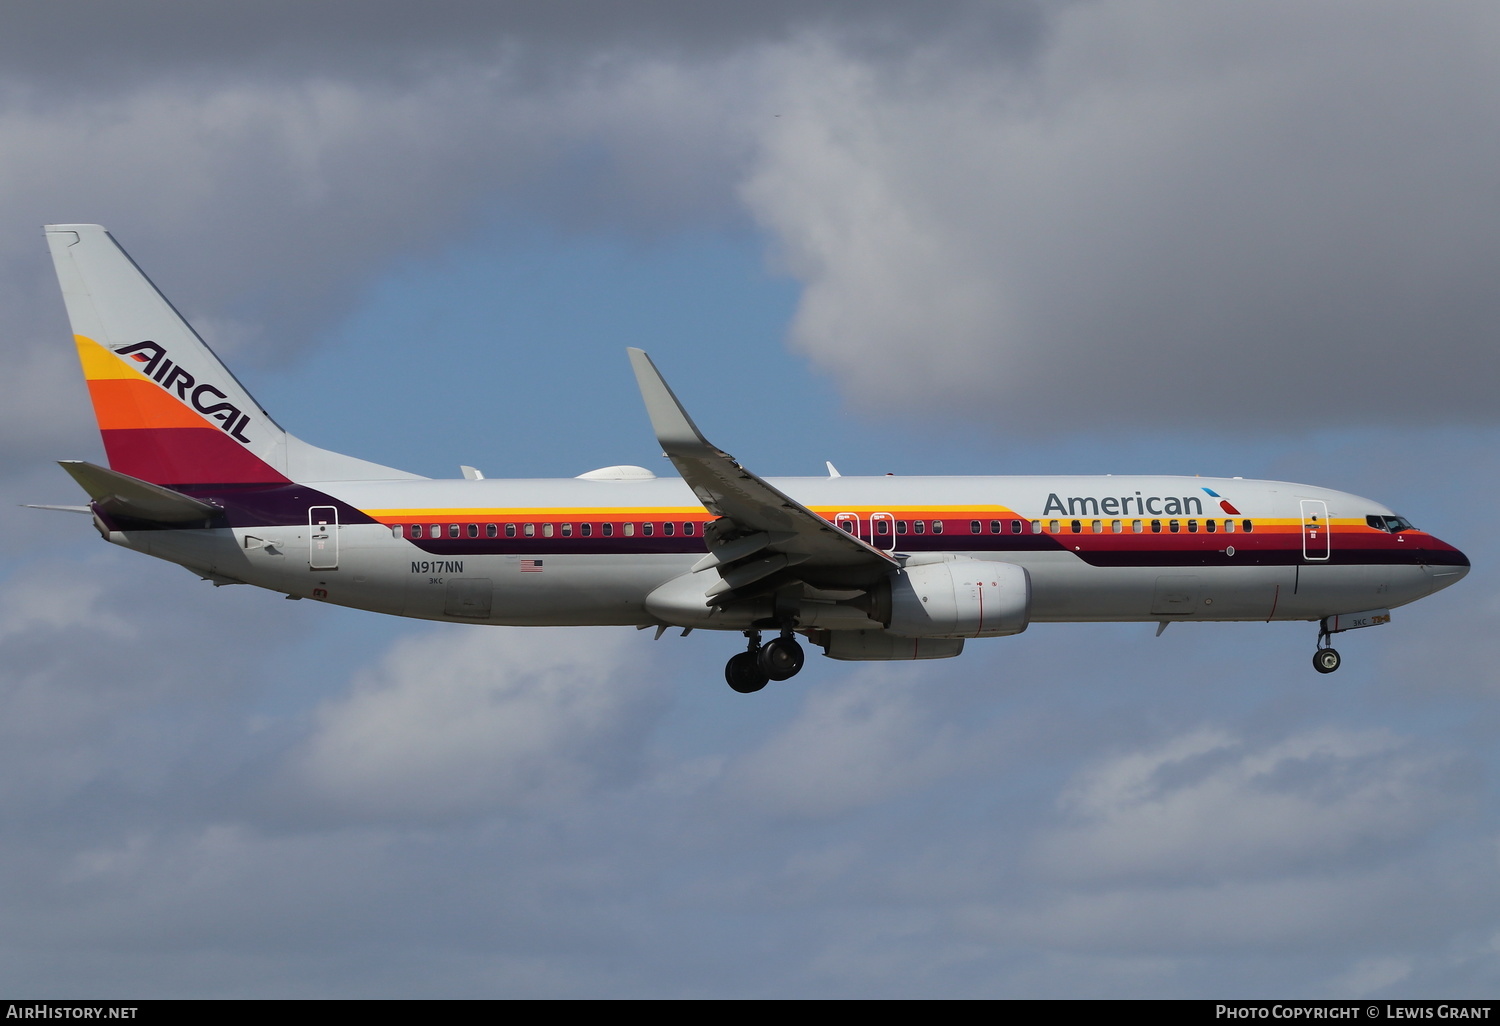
(959, 598)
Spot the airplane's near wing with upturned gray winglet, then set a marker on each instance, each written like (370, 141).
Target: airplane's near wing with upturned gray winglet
(769, 532)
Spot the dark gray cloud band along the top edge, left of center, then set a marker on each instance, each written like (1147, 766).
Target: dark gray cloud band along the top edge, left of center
(94, 44)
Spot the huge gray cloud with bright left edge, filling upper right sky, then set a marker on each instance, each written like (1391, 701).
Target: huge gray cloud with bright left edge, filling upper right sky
(1235, 218)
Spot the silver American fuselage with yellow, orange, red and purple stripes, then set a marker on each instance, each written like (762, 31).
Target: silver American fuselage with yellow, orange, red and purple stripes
(1096, 548)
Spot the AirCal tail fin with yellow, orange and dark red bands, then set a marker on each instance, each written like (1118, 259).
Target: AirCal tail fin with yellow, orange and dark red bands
(169, 410)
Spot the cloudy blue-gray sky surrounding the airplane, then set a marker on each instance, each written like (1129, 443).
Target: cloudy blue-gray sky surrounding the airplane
(959, 238)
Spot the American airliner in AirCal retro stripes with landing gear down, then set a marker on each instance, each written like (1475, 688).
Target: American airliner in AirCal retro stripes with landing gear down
(863, 568)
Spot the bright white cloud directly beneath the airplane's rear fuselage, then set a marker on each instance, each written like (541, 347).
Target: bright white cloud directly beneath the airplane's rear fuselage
(478, 719)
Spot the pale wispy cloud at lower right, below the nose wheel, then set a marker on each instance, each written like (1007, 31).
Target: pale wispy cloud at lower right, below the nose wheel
(1210, 806)
